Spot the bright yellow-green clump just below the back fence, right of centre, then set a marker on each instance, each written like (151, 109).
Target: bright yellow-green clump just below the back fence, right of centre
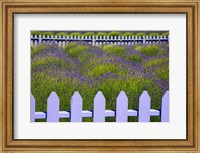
(116, 50)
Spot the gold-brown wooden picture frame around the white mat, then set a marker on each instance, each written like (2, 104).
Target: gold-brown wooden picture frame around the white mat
(11, 7)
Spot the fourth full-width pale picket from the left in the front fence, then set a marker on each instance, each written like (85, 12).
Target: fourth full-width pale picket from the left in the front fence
(122, 107)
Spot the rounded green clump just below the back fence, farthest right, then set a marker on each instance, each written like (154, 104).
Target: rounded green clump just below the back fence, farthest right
(150, 50)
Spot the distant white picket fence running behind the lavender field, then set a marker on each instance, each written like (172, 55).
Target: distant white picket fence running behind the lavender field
(98, 41)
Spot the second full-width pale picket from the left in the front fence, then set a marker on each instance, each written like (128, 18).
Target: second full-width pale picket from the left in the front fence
(76, 108)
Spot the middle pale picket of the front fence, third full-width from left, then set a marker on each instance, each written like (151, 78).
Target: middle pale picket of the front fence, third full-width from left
(99, 108)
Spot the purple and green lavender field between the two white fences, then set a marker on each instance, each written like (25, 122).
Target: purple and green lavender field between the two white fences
(110, 69)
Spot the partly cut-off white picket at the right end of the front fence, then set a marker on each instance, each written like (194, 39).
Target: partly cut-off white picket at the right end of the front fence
(165, 107)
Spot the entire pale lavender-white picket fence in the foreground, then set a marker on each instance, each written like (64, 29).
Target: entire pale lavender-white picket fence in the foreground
(99, 113)
